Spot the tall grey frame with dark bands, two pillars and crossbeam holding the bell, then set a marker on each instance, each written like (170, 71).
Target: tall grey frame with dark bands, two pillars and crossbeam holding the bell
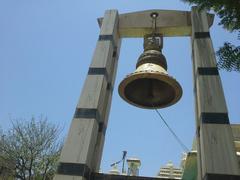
(82, 151)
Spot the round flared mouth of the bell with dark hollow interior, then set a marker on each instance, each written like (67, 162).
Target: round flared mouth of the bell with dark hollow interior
(150, 90)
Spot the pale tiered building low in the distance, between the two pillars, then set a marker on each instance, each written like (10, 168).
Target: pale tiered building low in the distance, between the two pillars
(170, 172)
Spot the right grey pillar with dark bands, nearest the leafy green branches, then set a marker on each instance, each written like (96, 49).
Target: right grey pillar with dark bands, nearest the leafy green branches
(215, 139)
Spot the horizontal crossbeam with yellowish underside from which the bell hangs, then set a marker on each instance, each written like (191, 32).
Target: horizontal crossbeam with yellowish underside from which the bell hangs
(169, 23)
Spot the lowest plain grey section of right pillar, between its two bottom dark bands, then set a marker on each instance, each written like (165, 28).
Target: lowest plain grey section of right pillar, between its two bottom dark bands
(218, 152)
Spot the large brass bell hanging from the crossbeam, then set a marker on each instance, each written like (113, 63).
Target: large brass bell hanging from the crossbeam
(150, 86)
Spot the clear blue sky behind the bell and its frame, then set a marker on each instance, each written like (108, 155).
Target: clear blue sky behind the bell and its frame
(45, 49)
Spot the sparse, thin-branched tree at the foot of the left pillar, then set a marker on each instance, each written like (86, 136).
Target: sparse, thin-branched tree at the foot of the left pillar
(30, 149)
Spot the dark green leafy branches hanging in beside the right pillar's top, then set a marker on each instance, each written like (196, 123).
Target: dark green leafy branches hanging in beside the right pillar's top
(229, 13)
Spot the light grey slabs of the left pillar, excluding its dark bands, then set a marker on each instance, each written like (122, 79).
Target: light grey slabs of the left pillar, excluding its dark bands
(82, 139)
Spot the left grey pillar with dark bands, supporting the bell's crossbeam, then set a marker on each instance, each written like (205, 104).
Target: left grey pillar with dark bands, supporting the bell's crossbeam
(82, 150)
